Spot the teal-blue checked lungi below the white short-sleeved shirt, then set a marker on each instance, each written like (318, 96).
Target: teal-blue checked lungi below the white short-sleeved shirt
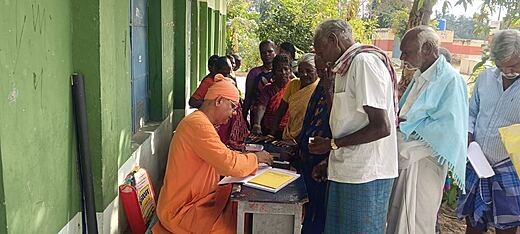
(358, 208)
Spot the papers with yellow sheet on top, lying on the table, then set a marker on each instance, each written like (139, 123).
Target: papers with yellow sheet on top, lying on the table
(267, 179)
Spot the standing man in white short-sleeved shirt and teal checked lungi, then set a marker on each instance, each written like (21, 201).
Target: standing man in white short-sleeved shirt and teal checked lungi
(363, 150)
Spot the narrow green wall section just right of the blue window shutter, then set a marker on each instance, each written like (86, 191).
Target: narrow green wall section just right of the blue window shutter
(161, 41)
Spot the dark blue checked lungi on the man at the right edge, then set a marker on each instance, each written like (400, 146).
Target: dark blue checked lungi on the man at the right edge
(494, 201)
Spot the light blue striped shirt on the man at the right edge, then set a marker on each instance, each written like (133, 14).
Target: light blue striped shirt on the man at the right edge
(491, 107)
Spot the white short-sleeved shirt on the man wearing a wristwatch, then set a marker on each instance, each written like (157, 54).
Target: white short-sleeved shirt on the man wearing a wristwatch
(366, 83)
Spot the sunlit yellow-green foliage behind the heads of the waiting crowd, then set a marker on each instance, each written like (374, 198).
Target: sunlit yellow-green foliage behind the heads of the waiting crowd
(293, 21)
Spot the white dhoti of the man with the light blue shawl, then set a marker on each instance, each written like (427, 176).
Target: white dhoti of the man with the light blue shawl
(417, 192)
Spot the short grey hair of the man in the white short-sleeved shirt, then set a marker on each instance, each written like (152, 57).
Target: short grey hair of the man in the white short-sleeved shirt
(336, 26)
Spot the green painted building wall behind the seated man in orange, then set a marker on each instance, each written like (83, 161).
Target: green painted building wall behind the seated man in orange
(44, 42)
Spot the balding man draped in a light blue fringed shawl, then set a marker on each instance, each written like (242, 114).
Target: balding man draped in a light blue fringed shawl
(432, 134)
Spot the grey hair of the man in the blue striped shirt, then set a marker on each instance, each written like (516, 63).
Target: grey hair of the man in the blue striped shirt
(505, 45)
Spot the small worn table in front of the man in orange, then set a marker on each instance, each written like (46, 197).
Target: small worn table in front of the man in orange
(286, 202)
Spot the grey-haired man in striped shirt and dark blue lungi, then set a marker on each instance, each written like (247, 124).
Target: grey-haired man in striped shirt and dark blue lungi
(495, 103)
